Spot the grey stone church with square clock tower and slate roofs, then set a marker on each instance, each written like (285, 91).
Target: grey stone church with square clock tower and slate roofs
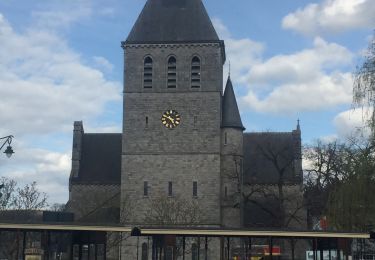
(183, 157)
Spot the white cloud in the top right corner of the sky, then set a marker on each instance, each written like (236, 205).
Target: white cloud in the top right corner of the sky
(331, 16)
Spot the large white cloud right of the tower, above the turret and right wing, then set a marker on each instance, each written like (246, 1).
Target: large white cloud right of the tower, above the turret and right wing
(308, 80)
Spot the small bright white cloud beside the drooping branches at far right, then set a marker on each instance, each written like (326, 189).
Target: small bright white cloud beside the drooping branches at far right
(348, 123)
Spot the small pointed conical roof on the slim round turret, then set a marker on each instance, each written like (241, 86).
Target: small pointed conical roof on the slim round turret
(231, 115)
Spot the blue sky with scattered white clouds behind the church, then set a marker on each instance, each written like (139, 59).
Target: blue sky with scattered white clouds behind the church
(61, 61)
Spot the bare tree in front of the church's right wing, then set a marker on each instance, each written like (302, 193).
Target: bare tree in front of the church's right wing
(277, 197)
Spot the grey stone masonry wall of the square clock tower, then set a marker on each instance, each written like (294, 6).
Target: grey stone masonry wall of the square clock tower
(191, 151)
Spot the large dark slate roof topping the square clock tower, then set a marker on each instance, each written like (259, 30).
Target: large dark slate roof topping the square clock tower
(173, 21)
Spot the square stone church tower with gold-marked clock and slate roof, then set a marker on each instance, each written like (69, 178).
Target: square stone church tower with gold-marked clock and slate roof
(171, 147)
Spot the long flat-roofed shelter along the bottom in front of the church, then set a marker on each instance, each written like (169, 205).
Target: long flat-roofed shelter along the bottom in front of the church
(72, 241)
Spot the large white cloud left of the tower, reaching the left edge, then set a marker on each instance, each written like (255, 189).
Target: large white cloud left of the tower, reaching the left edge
(46, 84)
